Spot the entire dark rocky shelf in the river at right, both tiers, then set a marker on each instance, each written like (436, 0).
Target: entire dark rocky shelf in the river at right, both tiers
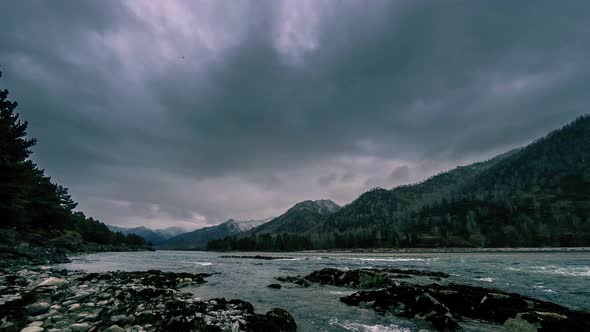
(444, 306)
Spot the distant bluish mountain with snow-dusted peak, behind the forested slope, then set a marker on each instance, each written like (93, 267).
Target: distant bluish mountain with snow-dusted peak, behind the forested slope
(198, 239)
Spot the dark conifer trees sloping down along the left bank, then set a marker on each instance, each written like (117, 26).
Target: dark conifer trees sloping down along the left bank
(30, 202)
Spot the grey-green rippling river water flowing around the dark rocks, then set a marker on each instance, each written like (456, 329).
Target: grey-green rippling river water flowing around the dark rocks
(560, 277)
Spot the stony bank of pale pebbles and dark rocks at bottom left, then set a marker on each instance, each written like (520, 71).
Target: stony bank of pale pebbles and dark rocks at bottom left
(46, 299)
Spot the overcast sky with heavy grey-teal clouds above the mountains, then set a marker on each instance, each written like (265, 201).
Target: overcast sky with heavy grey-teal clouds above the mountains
(188, 113)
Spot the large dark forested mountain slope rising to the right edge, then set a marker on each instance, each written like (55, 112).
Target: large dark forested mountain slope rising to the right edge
(538, 195)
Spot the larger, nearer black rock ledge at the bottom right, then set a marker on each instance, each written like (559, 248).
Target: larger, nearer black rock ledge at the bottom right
(444, 306)
